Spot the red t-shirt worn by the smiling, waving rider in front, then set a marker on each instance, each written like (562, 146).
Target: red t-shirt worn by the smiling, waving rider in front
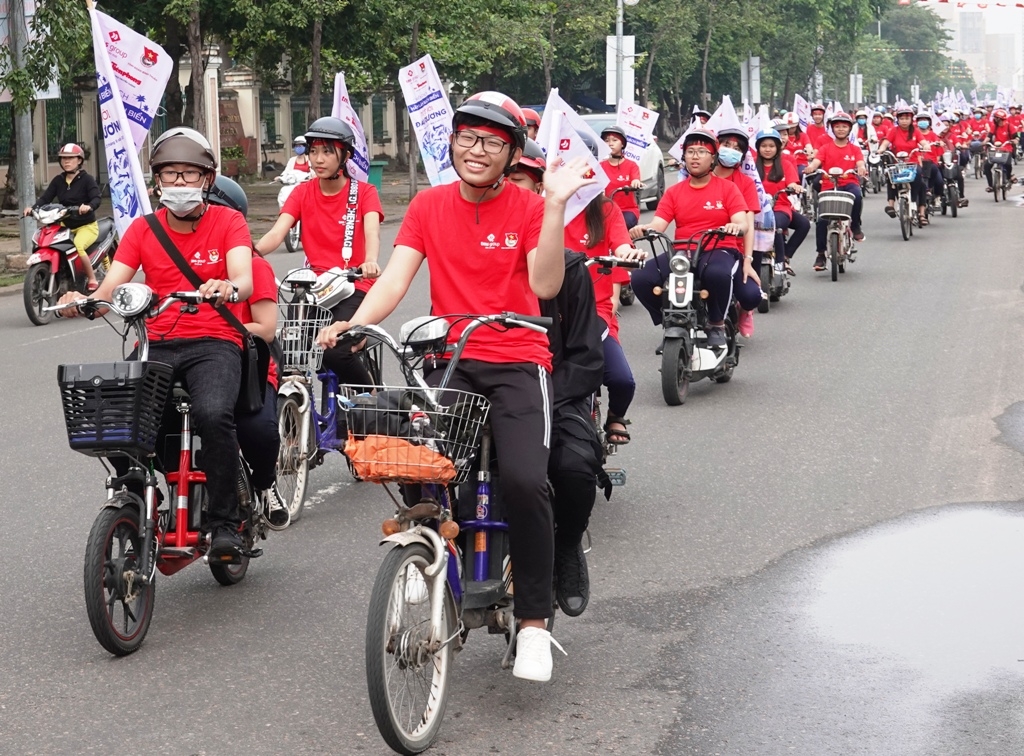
(478, 259)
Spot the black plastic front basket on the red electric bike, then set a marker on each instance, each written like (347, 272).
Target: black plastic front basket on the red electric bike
(114, 407)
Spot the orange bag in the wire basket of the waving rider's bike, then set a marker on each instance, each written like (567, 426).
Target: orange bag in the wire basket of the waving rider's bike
(388, 458)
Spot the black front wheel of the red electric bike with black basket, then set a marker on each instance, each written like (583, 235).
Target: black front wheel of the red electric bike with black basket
(119, 605)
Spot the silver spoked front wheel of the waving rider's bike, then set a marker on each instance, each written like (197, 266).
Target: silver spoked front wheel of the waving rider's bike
(408, 674)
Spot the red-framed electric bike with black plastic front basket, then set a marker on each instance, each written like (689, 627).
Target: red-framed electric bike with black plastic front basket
(114, 410)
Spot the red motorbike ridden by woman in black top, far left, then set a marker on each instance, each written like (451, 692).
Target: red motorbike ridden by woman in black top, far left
(55, 266)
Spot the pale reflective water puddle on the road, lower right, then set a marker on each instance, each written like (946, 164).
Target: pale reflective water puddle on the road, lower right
(944, 592)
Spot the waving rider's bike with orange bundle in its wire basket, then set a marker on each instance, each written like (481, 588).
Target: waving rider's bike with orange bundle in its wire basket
(449, 572)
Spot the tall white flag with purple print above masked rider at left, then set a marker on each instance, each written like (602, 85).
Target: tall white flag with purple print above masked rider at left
(130, 92)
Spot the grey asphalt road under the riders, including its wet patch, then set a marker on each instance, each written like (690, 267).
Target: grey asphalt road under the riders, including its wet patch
(823, 557)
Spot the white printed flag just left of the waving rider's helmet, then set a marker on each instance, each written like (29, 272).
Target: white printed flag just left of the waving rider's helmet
(432, 114)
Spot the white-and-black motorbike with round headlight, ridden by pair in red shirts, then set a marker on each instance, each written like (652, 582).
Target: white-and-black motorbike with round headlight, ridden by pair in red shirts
(686, 354)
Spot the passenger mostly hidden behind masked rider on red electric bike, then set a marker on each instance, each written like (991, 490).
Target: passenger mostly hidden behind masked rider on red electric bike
(260, 438)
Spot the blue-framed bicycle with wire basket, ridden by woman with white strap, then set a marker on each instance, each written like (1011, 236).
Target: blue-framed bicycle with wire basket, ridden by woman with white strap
(309, 434)
